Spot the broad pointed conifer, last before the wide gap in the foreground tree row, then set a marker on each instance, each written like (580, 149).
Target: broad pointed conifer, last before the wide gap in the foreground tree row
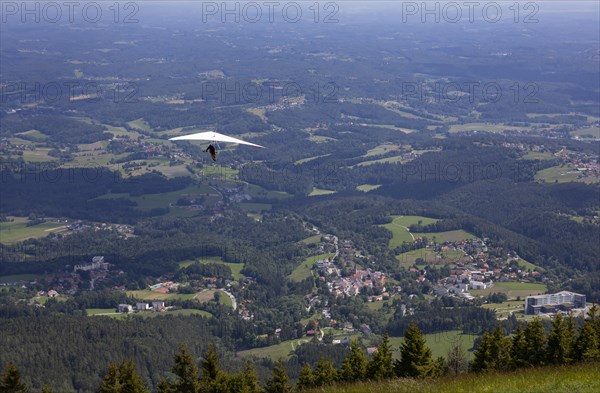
(415, 355)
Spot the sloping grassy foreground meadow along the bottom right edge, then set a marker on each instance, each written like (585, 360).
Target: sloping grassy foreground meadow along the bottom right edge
(578, 378)
